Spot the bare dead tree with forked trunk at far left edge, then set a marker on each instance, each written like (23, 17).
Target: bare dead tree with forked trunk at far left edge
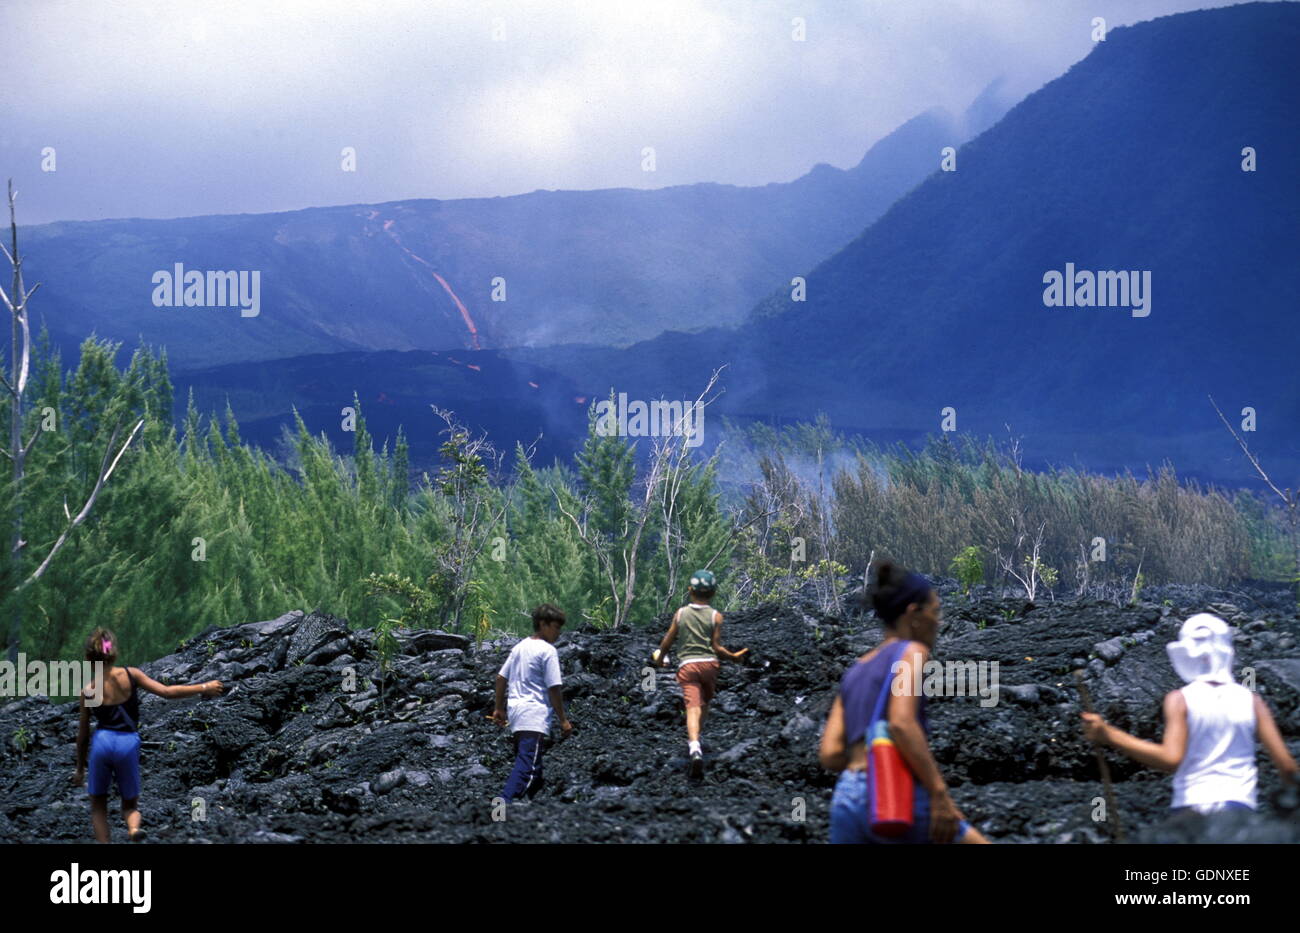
(20, 370)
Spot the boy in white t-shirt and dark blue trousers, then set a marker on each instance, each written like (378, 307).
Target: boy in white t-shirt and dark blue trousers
(532, 675)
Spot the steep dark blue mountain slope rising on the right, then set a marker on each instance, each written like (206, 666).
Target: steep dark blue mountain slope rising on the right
(1130, 162)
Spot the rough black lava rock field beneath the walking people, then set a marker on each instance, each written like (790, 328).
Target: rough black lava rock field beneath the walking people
(306, 748)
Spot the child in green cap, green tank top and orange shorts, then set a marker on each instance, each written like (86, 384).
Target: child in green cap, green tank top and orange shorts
(699, 630)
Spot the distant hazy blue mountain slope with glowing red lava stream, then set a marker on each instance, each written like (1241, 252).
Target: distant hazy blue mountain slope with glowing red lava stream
(608, 267)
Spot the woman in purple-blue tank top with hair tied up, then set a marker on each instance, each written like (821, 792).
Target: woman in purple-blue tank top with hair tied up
(911, 611)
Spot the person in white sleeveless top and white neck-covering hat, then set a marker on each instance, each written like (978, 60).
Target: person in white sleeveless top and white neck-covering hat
(1211, 727)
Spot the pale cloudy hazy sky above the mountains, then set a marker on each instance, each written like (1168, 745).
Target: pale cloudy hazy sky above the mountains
(167, 110)
